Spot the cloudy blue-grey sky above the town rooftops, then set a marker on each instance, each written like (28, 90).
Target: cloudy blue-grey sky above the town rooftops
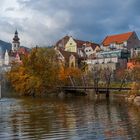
(43, 22)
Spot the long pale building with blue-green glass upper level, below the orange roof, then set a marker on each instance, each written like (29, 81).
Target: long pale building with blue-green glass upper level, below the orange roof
(113, 59)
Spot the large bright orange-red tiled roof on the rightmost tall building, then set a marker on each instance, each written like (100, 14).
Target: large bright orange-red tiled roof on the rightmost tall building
(119, 38)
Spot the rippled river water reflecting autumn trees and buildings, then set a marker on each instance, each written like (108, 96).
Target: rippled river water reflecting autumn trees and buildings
(71, 118)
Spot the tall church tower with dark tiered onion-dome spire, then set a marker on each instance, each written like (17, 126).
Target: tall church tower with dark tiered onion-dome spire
(15, 43)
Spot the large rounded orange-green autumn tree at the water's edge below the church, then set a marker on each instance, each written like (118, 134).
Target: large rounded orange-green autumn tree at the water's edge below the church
(37, 75)
